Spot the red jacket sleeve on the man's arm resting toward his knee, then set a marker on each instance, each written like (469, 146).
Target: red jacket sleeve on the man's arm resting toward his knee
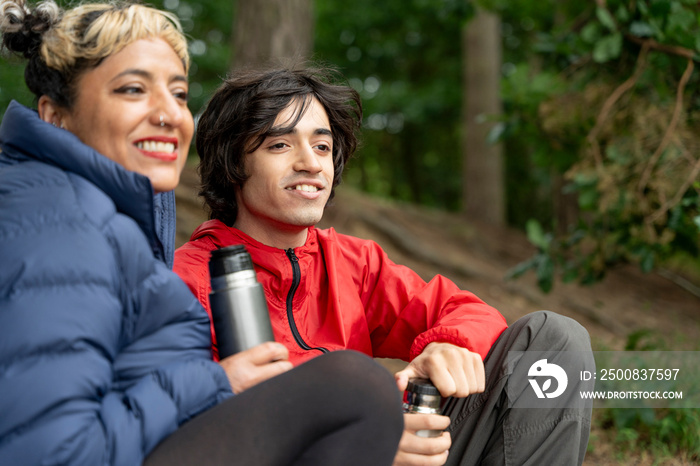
(405, 314)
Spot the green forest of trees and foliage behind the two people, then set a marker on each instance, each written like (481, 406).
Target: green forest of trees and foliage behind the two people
(574, 121)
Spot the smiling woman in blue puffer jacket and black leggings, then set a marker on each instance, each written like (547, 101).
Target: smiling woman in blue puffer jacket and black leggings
(104, 352)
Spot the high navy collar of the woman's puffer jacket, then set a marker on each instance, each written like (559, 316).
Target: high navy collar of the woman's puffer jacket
(24, 136)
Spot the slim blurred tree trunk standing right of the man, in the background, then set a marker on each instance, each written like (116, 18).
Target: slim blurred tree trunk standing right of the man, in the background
(483, 177)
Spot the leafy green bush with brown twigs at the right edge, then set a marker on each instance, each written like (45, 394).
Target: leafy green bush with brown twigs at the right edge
(618, 124)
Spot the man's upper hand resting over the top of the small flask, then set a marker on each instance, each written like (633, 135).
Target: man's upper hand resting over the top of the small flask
(455, 371)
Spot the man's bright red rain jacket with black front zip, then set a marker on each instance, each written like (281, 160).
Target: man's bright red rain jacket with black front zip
(341, 292)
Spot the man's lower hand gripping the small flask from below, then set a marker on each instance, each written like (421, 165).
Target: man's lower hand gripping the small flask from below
(414, 450)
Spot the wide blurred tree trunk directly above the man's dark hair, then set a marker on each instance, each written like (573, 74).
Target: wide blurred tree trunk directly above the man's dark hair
(272, 30)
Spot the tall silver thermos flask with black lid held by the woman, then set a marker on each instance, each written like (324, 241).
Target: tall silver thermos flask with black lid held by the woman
(238, 305)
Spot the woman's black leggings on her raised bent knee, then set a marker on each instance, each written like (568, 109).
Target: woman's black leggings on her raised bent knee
(341, 408)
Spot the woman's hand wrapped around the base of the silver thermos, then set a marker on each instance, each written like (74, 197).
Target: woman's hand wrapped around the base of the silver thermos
(250, 367)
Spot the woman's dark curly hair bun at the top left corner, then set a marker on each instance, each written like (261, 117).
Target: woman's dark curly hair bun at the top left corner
(22, 29)
